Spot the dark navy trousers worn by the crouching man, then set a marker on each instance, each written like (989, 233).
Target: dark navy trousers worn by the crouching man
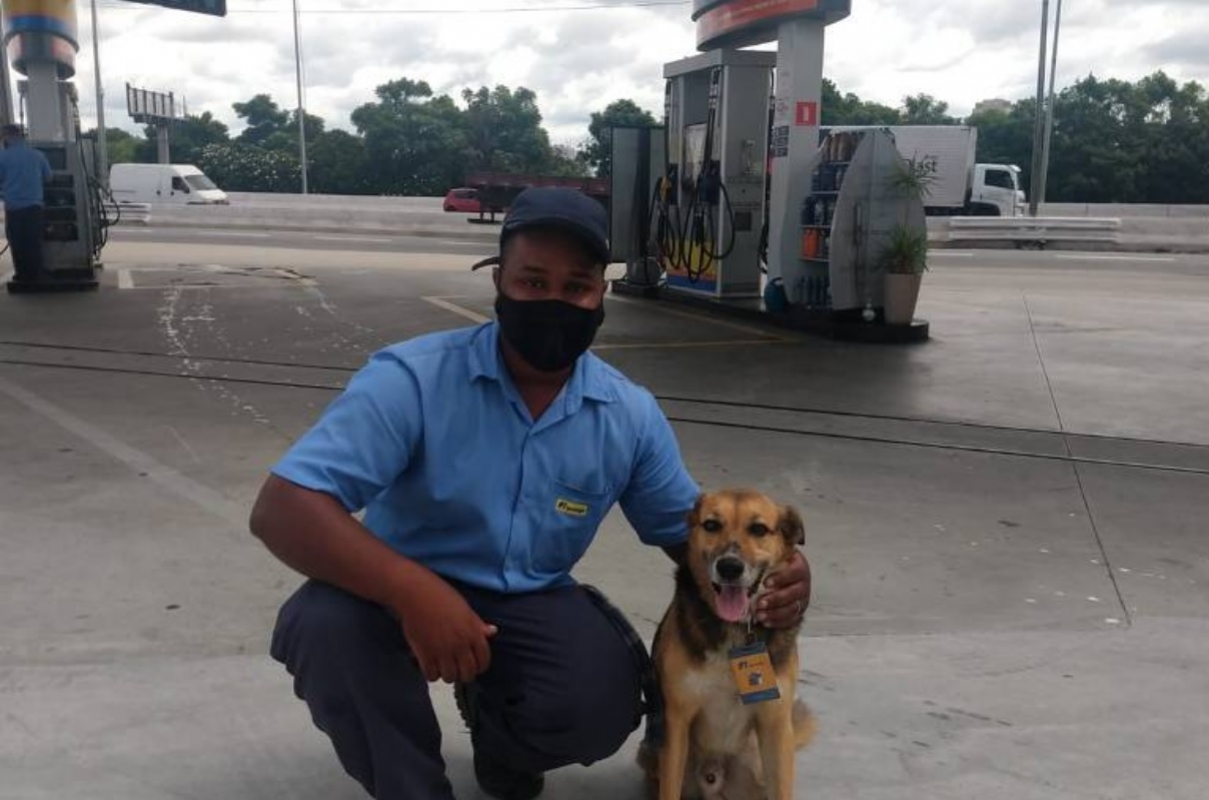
(564, 687)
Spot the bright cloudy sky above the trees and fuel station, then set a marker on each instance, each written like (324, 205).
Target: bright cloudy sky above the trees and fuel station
(580, 55)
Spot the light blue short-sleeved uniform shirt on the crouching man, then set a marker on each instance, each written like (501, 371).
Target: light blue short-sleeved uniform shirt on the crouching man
(433, 442)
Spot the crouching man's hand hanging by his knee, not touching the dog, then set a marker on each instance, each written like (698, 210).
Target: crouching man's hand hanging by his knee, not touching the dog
(448, 639)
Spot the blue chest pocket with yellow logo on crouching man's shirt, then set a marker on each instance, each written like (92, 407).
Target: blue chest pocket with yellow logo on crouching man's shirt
(568, 524)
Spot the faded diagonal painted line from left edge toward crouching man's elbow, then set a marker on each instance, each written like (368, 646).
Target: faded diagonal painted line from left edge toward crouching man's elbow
(136, 460)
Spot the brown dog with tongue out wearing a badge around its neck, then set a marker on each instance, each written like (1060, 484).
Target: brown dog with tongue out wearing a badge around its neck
(733, 722)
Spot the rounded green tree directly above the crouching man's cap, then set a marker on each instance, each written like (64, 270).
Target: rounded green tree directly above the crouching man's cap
(505, 131)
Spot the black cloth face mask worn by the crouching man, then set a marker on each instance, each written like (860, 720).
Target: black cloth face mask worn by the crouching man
(548, 334)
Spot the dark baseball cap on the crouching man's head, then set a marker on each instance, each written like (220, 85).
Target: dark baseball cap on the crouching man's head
(562, 208)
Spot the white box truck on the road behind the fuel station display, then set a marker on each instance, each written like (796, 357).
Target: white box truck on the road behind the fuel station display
(963, 188)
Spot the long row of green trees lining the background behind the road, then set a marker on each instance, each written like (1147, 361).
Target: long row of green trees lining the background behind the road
(1144, 142)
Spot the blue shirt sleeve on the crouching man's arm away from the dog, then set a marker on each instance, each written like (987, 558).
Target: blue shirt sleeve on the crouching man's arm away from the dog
(365, 440)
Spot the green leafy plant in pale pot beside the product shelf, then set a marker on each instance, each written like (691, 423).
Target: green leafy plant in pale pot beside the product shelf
(905, 256)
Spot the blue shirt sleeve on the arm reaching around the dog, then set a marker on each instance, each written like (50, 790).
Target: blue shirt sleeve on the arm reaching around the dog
(661, 494)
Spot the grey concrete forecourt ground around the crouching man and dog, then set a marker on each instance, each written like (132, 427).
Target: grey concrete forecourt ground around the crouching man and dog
(1008, 524)
